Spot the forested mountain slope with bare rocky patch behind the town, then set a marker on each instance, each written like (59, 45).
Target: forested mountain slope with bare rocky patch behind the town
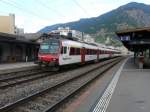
(131, 15)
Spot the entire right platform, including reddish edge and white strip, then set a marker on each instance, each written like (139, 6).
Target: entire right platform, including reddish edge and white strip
(124, 88)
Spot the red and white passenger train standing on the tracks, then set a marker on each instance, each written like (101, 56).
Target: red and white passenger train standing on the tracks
(59, 52)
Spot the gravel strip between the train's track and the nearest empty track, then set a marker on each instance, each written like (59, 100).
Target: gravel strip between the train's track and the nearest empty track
(17, 92)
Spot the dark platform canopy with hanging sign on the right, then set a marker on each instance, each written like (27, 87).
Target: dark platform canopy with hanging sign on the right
(135, 39)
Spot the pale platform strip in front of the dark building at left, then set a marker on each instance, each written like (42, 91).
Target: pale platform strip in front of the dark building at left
(15, 67)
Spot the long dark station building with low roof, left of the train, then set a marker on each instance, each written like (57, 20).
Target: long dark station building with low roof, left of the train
(15, 48)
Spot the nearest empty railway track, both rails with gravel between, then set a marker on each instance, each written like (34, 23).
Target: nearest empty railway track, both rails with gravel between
(49, 98)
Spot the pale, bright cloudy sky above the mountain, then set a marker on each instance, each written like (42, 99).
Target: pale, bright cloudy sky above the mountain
(32, 15)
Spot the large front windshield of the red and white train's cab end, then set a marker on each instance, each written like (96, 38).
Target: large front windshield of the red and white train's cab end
(49, 47)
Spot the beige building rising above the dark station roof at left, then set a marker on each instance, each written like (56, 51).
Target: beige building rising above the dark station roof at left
(7, 25)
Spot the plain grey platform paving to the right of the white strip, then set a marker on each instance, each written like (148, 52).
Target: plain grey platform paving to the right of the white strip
(132, 90)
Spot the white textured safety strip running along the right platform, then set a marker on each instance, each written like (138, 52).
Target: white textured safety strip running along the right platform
(106, 97)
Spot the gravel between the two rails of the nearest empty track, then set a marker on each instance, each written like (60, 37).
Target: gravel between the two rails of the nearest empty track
(42, 103)
